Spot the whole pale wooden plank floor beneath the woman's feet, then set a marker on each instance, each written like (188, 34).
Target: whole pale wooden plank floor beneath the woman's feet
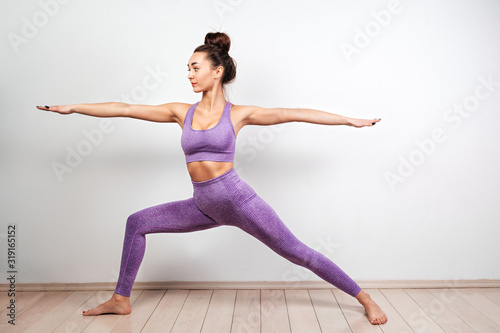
(291, 310)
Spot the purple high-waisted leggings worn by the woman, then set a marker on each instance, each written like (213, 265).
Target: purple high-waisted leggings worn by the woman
(224, 200)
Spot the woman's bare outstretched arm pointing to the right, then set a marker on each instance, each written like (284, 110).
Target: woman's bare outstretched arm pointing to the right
(254, 115)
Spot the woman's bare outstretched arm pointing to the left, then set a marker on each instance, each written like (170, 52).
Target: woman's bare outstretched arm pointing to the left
(169, 112)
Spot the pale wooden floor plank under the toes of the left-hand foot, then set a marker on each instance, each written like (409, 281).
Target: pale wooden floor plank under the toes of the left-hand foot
(77, 321)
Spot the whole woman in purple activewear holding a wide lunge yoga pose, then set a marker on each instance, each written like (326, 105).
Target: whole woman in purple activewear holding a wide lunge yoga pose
(220, 197)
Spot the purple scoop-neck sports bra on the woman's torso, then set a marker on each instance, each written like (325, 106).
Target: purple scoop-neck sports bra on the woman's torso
(213, 144)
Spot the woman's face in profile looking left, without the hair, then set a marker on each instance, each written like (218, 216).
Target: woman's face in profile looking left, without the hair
(201, 74)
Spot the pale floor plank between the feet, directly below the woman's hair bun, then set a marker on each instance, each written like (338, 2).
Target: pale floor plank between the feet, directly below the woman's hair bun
(219, 316)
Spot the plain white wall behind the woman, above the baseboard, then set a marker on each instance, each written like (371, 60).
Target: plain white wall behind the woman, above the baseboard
(414, 197)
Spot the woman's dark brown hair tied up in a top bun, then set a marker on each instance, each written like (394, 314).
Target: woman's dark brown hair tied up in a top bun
(216, 47)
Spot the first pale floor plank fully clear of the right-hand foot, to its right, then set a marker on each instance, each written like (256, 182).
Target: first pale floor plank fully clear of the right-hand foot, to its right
(414, 315)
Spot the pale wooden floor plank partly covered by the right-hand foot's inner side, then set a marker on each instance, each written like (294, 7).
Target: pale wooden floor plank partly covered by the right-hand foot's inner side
(354, 313)
